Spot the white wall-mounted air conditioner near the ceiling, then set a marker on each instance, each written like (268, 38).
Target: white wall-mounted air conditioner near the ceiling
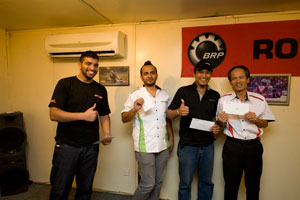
(108, 44)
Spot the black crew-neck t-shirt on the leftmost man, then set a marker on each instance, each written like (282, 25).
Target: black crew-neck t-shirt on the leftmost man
(72, 95)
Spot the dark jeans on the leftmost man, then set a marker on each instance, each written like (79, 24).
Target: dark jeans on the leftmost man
(69, 161)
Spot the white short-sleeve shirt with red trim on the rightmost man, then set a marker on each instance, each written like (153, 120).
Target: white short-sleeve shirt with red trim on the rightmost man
(237, 126)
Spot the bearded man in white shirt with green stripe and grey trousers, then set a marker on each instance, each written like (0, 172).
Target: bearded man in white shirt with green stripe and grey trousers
(152, 132)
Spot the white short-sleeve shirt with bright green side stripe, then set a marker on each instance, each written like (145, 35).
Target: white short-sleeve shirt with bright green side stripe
(149, 128)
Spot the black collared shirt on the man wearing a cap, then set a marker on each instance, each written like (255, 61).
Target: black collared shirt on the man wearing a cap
(204, 109)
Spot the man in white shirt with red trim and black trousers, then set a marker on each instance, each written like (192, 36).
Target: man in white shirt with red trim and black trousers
(242, 151)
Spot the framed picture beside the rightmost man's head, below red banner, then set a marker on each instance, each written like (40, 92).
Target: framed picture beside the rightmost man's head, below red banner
(274, 87)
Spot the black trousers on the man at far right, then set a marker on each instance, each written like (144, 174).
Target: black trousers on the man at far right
(239, 156)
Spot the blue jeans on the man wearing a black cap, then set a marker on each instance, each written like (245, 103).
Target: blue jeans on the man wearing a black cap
(192, 158)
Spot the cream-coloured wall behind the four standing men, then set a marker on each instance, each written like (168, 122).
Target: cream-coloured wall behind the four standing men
(33, 77)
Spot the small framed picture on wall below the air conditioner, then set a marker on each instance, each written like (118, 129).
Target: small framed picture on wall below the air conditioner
(114, 75)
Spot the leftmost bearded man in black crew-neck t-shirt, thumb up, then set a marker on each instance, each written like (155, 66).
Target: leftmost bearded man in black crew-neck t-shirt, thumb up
(78, 105)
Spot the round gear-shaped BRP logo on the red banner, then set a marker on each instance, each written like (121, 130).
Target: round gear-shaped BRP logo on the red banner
(207, 46)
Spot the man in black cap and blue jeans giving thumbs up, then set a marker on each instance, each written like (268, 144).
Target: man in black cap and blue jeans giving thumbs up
(196, 150)
